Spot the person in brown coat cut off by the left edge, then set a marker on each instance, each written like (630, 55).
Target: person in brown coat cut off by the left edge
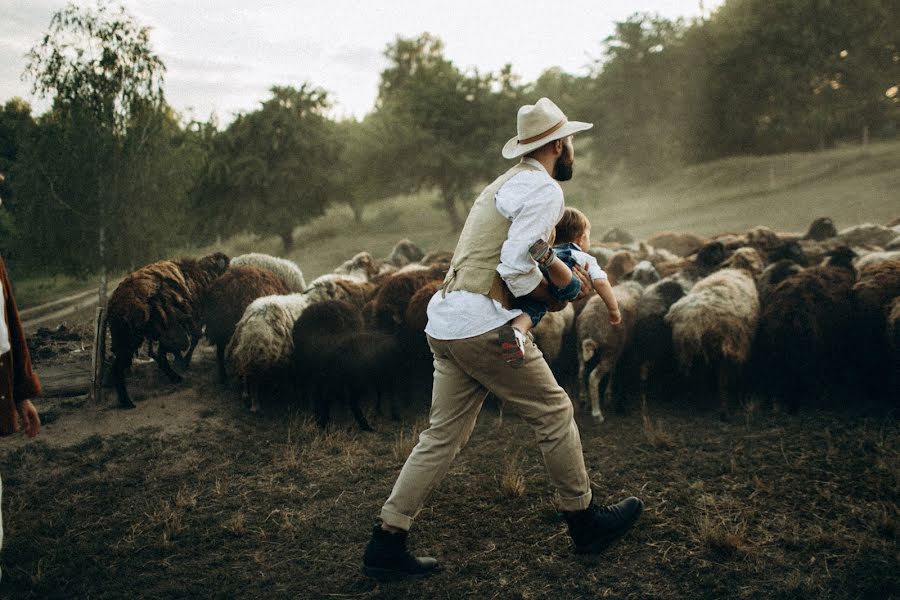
(18, 382)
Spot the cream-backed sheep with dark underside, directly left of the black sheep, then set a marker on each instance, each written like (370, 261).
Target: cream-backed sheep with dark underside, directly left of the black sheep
(262, 344)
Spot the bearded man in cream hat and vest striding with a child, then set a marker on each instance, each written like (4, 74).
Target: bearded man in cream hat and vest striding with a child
(468, 321)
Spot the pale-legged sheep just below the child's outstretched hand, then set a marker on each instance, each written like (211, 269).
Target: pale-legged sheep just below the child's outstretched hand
(600, 344)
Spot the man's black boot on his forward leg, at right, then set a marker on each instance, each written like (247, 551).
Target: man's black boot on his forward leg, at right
(595, 527)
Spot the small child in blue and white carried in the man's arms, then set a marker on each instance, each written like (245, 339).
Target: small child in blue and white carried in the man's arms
(573, 239)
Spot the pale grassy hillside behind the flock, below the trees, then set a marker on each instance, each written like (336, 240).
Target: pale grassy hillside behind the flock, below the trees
(786, 192)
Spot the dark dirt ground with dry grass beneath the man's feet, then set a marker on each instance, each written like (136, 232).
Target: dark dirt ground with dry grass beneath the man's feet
(191, 496)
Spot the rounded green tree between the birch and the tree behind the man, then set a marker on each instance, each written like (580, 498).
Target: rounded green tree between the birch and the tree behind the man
(271, 169)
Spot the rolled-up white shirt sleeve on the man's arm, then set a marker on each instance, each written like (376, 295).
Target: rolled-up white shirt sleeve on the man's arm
(534, 203)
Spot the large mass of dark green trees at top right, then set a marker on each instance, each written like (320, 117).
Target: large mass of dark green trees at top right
(757, 77)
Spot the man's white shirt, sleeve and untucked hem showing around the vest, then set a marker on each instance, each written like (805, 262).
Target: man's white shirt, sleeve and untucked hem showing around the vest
(533, 202)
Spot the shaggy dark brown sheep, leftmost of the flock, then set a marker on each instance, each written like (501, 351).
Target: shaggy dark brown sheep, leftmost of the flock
(159, 302)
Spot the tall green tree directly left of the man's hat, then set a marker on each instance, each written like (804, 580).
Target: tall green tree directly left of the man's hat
(447, 126)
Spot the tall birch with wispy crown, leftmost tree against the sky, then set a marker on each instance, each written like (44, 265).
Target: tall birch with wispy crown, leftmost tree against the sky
(106, 85)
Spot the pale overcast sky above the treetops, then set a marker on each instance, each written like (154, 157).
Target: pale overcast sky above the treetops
(222, 56)
